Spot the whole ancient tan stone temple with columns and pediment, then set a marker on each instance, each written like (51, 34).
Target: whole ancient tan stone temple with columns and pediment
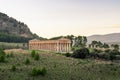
(60, 45)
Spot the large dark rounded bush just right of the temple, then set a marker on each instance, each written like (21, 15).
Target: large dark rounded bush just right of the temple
(81, 53)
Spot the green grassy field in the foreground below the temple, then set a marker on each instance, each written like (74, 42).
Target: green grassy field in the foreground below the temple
(58, 67)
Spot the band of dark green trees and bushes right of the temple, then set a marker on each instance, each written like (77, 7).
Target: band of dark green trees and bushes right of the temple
(96, 49)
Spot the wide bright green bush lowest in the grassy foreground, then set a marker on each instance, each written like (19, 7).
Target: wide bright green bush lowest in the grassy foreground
(36, 72)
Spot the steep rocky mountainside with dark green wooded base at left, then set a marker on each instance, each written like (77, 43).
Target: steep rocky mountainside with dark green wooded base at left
(12, 30)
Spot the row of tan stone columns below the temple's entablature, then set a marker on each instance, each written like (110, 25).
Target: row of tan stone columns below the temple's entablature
(59, 47)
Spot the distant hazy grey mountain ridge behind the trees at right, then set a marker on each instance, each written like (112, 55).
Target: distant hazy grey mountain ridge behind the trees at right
(108, 38)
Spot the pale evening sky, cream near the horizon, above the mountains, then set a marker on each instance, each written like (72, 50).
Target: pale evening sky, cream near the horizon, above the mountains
(50, 18)
